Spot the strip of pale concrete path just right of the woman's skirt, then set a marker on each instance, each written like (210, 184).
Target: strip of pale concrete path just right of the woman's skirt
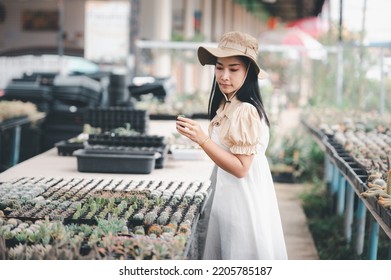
(299, 242)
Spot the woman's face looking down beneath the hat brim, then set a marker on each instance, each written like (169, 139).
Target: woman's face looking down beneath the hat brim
(230, 74)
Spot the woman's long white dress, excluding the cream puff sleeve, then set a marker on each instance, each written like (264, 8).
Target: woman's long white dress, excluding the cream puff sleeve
(245, 221)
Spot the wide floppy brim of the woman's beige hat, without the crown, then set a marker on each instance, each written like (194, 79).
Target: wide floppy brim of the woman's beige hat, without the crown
(208, 56)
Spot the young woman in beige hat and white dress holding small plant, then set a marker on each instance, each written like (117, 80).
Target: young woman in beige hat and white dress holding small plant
(244, 221)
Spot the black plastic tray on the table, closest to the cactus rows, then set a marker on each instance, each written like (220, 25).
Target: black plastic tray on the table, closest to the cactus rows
(115, 163)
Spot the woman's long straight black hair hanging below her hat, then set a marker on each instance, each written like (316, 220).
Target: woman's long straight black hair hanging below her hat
(249, 92)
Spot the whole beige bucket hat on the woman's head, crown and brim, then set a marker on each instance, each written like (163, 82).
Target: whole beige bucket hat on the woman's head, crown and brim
(233, 43)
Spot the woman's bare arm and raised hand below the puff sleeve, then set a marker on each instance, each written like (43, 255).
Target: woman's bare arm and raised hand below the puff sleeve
(237, 165)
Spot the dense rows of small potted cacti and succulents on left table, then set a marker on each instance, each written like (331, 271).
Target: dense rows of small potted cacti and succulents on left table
(78, 198)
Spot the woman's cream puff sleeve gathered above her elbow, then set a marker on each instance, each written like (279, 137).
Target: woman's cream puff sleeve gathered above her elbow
(245, 130)
